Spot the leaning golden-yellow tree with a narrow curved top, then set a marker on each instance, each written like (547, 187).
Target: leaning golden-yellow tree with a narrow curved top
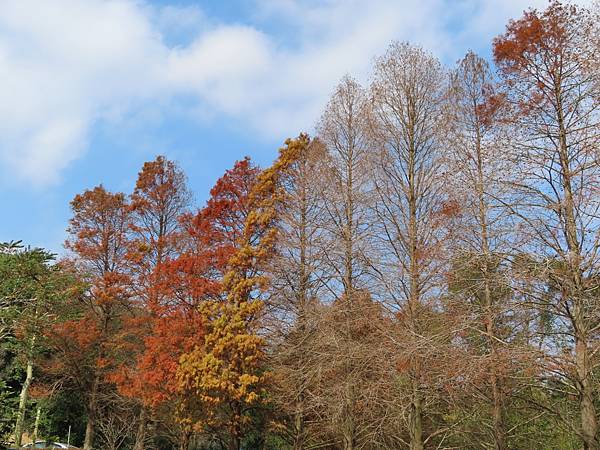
(226, 373)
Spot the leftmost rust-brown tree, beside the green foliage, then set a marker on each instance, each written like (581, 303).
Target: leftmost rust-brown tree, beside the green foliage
(98, 239)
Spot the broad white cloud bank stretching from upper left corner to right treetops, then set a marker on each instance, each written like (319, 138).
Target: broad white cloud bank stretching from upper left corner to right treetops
(66, 64)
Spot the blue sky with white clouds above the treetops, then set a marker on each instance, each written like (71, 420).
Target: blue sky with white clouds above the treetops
(90, 89)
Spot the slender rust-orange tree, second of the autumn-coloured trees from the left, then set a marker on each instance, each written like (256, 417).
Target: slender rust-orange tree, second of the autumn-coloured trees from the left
(160, 198)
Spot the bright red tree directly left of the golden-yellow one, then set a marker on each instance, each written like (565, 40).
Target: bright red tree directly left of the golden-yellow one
(170, 324)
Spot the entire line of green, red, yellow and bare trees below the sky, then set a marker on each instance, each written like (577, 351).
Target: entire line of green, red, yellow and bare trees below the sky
(422, 273)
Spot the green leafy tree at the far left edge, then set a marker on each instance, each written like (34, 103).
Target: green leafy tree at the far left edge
(31, 290)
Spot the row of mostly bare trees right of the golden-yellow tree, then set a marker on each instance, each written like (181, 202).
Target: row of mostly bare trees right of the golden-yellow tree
(436, 283)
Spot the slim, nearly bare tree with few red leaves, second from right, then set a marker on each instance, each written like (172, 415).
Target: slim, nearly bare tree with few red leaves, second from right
(478, 169)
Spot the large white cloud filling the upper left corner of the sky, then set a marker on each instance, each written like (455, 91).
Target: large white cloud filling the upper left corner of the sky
(62, 66)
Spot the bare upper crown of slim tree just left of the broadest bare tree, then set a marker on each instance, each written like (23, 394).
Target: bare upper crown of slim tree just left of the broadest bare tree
(344, 131)
